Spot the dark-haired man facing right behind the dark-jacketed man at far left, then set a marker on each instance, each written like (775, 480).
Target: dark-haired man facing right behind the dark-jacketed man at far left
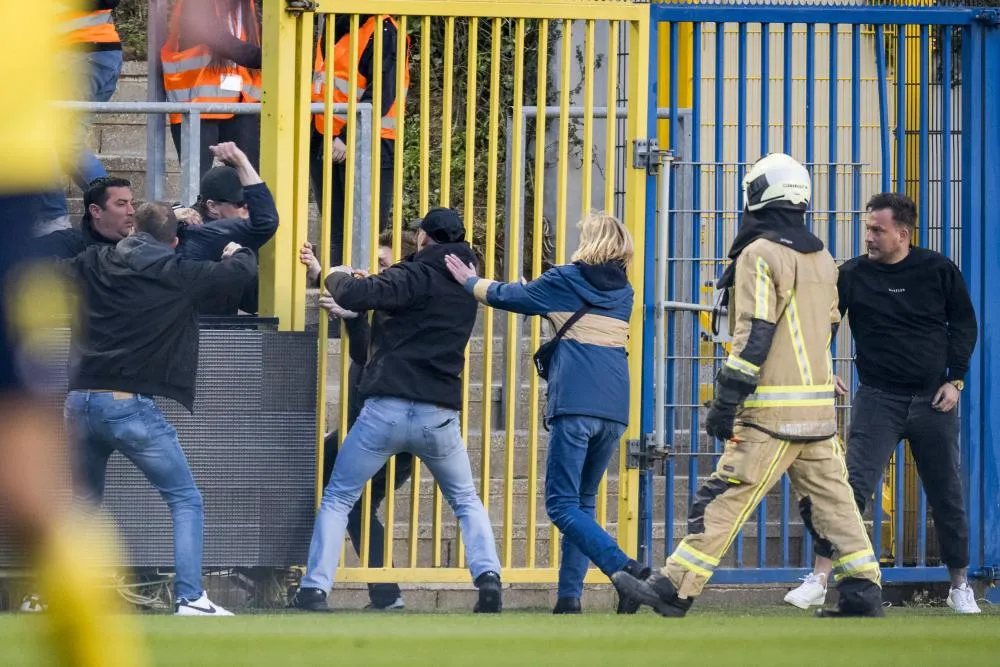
(108, 213)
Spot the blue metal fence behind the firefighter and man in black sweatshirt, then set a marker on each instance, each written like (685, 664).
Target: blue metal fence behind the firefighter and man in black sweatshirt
(829, 85)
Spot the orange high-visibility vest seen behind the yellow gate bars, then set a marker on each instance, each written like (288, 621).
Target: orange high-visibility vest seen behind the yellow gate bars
(341, 78)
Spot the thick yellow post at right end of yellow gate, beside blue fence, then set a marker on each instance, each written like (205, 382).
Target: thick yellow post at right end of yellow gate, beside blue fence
(635, 216)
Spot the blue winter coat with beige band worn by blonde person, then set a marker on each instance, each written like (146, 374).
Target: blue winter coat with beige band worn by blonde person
(588, 374)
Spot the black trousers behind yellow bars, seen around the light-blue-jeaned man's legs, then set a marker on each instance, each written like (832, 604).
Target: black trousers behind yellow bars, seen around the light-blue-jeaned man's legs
(381, 595)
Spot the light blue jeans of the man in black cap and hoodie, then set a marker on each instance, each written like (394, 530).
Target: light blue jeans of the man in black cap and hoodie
(385, 427)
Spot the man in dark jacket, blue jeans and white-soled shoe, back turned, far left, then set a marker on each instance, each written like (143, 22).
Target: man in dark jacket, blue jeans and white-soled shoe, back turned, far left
(139, 339)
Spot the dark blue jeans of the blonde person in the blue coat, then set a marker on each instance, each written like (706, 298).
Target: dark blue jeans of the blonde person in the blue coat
(579, 451)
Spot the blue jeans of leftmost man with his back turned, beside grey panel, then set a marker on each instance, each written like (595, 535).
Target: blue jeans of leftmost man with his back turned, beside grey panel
(99, 424)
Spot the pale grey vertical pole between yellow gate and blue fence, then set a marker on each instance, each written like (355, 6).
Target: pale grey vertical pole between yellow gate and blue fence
(660, 295)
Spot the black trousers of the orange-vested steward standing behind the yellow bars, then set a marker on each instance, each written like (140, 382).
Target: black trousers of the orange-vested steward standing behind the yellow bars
(338, 186)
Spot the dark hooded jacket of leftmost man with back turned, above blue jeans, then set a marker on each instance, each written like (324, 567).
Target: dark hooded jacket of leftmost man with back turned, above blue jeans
(139, 325)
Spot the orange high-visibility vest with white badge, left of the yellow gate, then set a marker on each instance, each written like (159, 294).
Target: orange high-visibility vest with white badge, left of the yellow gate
(188, 75)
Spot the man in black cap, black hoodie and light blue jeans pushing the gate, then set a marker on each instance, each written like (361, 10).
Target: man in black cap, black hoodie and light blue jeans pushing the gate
(413, 391)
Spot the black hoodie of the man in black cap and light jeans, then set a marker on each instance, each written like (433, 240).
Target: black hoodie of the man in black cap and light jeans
(420, 327)
